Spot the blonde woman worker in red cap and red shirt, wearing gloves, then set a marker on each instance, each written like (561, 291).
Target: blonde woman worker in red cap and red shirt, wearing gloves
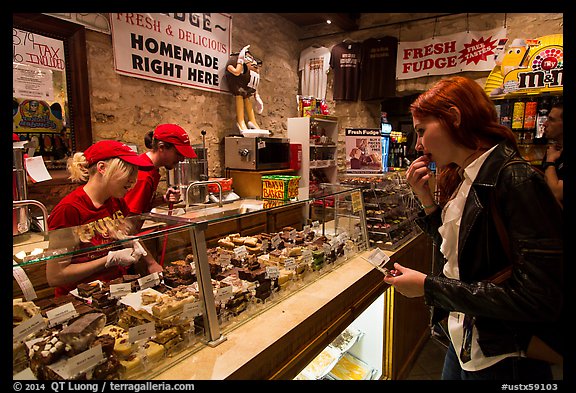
(109, 169)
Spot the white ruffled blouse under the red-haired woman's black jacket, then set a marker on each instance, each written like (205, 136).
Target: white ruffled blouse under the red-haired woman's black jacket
(451, 217)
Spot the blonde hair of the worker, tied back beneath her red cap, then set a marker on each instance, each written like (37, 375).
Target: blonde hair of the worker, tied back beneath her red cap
(80, 170)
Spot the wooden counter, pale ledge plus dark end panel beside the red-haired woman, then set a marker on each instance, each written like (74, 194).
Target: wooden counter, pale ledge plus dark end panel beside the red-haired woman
(281, 341)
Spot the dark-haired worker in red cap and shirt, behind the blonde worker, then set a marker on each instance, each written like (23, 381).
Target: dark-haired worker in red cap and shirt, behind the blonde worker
(168, 144)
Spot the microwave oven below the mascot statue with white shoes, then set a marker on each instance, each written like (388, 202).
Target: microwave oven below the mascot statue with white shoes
(259, 153)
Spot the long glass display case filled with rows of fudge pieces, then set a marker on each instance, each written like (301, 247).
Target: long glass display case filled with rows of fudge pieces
(138, 323)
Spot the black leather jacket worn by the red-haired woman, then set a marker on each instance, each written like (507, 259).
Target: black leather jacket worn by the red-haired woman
(508, 313)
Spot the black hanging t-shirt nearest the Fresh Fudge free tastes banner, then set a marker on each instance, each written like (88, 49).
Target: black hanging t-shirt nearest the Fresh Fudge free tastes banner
(379, 68)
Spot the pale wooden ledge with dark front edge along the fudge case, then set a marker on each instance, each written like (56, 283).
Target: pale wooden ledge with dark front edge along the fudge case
(278, 343)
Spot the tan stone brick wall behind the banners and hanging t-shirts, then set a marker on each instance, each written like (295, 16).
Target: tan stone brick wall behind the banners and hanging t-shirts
(125, 108)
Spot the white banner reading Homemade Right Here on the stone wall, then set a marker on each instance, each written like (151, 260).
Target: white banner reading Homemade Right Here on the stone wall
(184, 49)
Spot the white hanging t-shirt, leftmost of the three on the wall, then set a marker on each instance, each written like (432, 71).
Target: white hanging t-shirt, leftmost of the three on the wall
(314, 65)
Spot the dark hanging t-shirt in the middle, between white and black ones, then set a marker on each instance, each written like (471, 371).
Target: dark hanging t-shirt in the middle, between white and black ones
(345, 61)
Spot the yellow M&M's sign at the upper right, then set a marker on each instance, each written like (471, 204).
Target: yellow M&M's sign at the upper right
(528, 66)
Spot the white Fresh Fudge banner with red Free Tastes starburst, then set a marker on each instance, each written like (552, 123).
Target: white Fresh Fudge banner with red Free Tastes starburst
(449, 54)
